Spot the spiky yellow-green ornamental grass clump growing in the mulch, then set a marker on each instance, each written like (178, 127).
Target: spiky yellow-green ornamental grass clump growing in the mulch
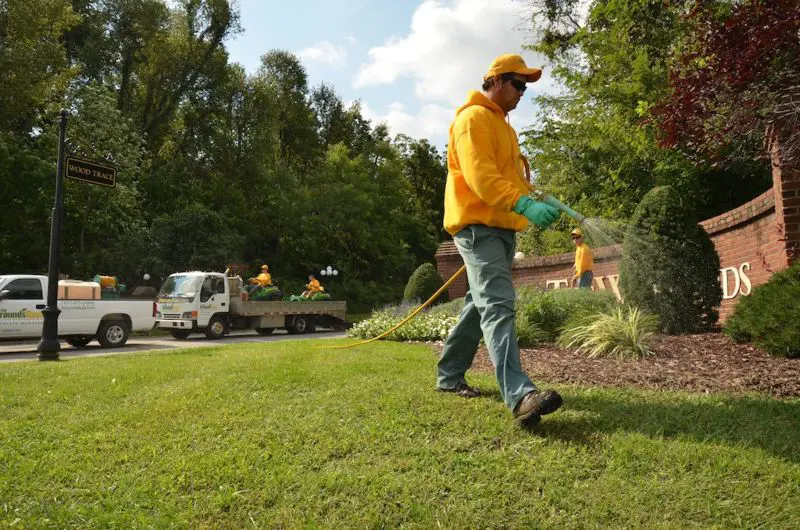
(623, 333)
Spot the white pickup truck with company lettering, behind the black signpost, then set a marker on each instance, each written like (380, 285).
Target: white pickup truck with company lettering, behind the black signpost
(23, 296)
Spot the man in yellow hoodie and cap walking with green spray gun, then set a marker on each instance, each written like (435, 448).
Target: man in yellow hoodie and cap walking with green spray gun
(486, 203)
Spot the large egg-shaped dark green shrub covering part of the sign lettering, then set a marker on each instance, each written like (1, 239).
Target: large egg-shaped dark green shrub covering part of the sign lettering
(669, 265)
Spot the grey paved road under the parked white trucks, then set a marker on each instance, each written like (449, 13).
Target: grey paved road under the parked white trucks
(26, 350)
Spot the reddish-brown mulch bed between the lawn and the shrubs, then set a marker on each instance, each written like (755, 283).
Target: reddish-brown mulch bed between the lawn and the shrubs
(707, 362)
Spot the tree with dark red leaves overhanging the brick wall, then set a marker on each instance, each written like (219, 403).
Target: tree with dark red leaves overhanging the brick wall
(735, 77)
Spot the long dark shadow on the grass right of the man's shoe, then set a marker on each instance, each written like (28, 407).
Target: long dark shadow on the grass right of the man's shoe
(767, 424)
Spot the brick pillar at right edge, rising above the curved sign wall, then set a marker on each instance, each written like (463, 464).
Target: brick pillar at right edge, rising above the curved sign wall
(786, 184)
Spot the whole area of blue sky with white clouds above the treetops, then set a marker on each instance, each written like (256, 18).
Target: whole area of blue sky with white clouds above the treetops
(410, 62)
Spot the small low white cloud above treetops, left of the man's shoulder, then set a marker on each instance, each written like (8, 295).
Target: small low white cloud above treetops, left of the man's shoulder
(431, 121)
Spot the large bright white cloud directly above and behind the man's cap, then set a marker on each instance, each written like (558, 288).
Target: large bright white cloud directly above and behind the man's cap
(449, 47)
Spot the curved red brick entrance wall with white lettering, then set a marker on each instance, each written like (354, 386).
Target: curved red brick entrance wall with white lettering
(753, 241)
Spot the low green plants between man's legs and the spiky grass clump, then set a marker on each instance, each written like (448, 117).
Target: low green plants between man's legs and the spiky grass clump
(541, 315)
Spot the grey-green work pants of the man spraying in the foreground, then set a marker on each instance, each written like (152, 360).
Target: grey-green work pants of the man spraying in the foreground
(488, 311)
